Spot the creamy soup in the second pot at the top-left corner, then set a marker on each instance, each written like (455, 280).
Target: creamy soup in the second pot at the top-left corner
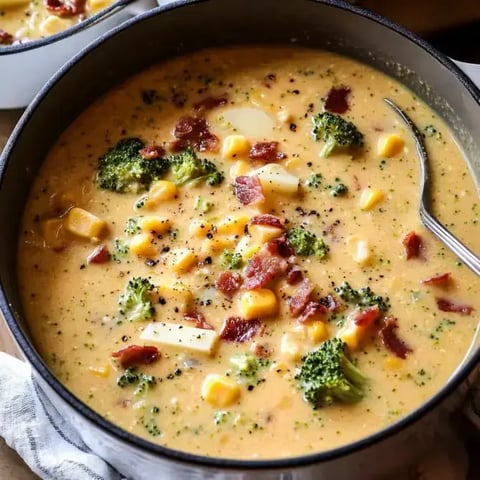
(23, 20)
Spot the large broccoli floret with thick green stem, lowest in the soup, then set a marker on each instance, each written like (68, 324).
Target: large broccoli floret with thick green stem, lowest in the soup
(327, 376)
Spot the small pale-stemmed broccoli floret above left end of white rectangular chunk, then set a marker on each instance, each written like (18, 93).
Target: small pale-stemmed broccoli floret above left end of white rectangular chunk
(134, 303)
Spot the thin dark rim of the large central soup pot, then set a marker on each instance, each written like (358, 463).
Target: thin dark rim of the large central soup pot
(458, 376)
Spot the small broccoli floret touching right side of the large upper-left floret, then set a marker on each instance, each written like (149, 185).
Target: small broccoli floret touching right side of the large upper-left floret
(187, 167)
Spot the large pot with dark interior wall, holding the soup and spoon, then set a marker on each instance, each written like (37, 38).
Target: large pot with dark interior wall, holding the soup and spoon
(182, 27)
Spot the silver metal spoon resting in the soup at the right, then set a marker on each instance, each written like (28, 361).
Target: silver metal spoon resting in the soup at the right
(463, 253)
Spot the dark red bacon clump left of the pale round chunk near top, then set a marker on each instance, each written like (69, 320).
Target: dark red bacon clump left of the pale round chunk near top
(194, 132)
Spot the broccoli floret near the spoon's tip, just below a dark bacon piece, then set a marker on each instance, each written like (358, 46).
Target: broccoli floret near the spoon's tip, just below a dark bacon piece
(336, 132)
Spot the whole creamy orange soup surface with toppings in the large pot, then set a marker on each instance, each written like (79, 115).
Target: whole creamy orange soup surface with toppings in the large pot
(179, 297)
